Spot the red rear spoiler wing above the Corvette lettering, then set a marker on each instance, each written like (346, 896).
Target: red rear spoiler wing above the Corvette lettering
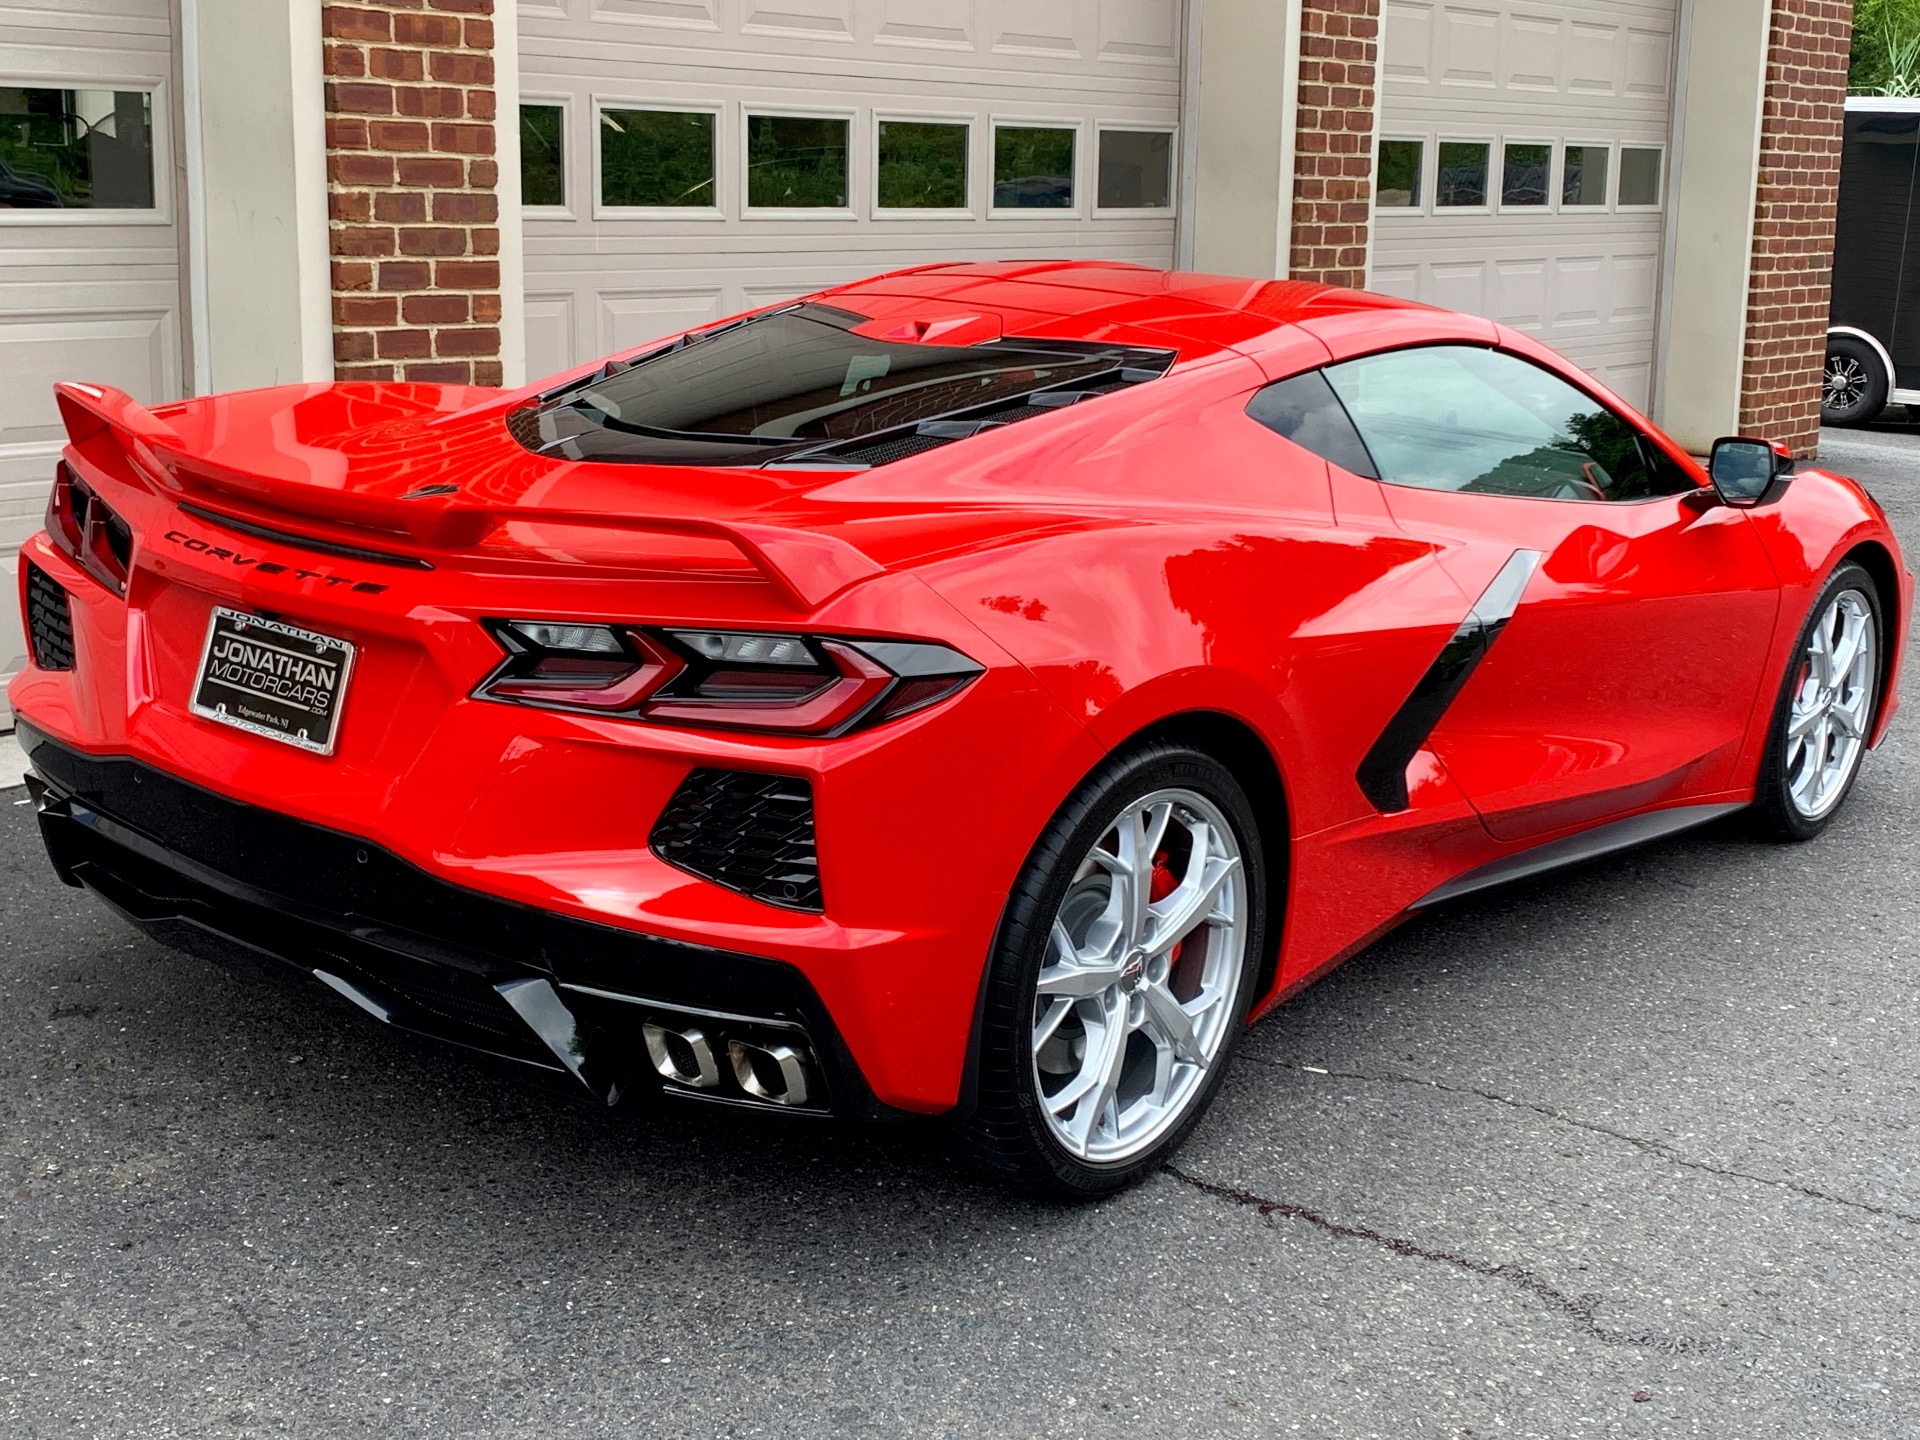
(804, 565)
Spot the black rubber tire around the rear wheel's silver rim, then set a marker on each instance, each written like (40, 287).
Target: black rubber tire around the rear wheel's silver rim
(1009, 1120)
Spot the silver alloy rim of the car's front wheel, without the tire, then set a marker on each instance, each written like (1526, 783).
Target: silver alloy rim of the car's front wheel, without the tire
(1833, 706)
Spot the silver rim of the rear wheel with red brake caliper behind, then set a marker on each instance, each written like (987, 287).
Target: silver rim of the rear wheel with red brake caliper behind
(1138, 994)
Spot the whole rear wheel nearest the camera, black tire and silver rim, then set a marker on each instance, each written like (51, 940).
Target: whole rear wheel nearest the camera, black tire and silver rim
(1122, 974)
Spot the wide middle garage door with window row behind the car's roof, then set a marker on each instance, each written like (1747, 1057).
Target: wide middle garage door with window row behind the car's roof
(692, 158)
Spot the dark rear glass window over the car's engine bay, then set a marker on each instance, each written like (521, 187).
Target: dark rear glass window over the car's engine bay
(800, 379)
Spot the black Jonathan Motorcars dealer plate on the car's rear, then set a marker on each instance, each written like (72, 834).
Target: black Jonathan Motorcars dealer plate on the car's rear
(274, 679)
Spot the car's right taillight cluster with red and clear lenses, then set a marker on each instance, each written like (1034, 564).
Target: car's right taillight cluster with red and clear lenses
(744, 681)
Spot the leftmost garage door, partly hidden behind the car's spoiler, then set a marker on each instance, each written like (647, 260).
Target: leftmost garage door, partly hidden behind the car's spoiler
(89, 251)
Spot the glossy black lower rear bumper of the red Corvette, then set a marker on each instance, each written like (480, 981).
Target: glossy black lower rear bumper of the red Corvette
(214, 876)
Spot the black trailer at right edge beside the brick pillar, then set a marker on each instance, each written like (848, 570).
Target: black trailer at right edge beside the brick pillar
(1873, 341)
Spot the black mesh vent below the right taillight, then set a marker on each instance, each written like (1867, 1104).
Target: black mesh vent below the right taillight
(746, 830)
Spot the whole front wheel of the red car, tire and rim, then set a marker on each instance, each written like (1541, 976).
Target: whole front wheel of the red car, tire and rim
(1825, 711)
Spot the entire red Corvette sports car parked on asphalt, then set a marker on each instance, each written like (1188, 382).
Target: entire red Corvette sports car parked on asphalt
(976, 690)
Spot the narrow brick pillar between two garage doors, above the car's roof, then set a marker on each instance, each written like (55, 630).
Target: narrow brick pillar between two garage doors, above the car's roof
(1333, 145)
